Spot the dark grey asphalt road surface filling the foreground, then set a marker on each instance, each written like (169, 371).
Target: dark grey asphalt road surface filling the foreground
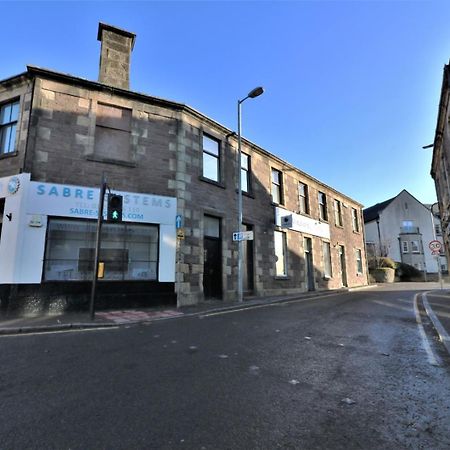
(351, 371)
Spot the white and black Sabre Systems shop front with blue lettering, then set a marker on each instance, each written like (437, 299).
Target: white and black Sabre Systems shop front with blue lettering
(47, 246)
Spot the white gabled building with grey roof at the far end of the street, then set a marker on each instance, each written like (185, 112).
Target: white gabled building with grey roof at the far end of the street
(402, 229)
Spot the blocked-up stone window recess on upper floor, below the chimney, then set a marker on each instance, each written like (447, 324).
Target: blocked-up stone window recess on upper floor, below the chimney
(112, 133)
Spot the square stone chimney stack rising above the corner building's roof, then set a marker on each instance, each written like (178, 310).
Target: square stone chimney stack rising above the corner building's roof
(117, 45)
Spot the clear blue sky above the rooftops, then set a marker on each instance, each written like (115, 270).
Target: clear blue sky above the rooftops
(352, 88)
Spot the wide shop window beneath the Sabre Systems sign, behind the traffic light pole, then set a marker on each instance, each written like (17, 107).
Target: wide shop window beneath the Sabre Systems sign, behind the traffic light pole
(128, 251)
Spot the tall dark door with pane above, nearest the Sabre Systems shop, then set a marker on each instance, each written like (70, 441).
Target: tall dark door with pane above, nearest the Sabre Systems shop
(212, 267)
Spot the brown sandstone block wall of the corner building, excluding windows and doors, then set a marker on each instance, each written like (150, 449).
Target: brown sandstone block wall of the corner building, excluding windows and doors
(165, 158)
